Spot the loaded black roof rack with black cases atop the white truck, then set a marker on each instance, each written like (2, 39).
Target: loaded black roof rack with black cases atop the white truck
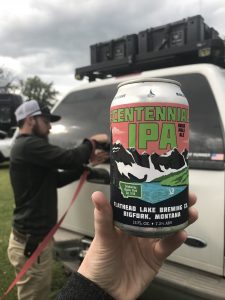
(183, 42)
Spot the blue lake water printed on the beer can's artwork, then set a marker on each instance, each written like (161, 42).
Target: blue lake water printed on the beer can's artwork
(154, 192)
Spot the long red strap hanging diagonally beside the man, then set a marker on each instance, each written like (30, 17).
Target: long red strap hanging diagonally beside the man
(48, 237)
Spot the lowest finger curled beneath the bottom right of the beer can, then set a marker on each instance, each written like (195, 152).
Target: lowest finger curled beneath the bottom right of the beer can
(164, 247)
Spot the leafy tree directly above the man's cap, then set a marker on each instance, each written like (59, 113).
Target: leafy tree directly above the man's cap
(35, 88)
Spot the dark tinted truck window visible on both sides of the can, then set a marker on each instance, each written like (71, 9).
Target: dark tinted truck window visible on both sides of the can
(86, 112)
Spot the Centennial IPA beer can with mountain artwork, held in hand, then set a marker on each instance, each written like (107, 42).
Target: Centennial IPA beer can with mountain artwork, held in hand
(149, 157)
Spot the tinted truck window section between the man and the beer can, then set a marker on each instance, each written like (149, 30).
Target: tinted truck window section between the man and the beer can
(84, 113)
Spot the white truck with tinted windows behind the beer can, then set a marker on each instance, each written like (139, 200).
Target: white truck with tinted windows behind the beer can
(198, 267)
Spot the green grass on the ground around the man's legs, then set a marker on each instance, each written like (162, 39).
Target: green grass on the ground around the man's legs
(7, 274)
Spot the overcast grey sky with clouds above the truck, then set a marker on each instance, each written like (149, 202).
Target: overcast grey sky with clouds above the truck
(50, 38)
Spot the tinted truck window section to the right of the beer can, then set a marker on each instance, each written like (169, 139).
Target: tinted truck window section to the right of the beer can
(206, 138)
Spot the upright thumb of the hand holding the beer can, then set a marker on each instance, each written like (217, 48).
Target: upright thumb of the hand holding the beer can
(103, 216)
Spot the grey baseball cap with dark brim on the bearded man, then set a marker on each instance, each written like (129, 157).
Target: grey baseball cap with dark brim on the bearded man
(32, 108)
